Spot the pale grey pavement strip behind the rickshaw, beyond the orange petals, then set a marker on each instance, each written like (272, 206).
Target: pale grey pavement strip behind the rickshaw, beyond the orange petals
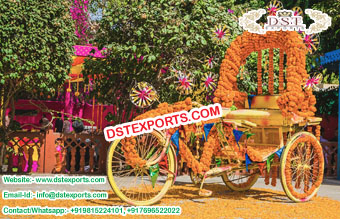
(330, 187)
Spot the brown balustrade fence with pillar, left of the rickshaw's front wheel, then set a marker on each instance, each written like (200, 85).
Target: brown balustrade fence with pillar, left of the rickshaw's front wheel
(36, 152)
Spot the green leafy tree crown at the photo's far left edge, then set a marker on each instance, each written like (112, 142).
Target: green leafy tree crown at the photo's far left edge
(36, 39)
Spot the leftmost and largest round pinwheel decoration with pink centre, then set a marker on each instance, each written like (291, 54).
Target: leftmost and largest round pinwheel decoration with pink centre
(143, 95)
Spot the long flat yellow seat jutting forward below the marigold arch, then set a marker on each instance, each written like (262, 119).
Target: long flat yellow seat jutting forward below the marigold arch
(259, 117)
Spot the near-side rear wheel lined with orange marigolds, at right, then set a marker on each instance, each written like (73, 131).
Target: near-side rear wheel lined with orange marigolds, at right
(302, 165)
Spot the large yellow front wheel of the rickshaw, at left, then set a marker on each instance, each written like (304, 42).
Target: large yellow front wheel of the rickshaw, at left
(134, 185)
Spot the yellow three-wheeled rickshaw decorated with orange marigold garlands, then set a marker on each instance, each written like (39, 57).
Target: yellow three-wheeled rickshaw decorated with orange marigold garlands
(257, 134)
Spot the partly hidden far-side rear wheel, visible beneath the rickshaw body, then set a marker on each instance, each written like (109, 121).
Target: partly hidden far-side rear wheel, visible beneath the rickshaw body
(240, 180)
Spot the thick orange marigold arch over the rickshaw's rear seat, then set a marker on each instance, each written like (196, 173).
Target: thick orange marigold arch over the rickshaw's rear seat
(293, 99)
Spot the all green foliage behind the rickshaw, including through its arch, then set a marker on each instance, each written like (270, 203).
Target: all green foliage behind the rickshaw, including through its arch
(163, 31)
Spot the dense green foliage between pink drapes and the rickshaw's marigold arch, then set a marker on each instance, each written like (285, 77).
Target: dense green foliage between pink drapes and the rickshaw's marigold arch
(166, 34)
